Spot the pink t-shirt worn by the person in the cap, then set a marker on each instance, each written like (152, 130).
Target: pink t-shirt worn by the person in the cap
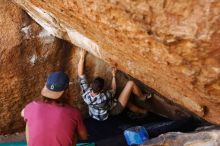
(52, 124)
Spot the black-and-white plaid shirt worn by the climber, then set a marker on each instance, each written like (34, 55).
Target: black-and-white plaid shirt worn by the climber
(100, 104)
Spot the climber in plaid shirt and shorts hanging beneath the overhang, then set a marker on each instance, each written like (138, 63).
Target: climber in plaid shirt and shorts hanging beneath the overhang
(102, 103)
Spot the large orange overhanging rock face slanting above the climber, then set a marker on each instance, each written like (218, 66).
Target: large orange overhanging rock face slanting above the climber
(172, 46)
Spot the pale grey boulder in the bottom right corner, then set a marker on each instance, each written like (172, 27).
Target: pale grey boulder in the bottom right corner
(200, 138)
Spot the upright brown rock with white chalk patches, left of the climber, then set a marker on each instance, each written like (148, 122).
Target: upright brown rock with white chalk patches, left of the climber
(27, 54)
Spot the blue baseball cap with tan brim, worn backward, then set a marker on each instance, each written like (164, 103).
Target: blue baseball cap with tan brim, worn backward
(56, 83)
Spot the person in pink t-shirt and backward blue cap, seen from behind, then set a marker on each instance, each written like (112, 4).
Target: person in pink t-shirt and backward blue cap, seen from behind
(50, 121)
